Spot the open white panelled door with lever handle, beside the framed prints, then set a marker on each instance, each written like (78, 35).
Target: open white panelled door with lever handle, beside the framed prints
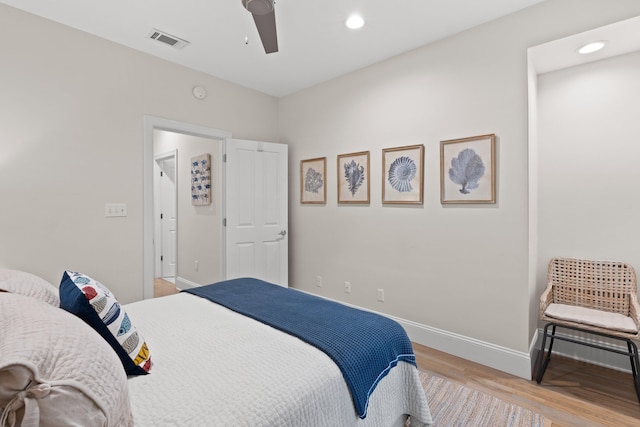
(257, 211)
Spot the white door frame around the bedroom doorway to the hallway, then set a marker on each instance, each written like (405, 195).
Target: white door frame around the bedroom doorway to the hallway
(150, 124)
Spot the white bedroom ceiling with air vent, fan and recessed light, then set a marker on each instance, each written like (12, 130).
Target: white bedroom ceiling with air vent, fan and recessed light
(314, 43)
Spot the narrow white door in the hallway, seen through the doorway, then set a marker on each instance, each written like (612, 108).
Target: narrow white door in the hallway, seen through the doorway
(168, 214)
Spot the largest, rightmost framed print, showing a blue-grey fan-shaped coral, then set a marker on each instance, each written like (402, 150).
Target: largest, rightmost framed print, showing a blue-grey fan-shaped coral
(467, 170)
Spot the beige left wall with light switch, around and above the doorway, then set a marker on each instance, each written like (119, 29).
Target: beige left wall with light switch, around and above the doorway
(71, 140)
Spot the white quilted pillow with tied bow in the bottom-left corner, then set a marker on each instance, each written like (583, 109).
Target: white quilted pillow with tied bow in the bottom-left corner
(55, 370)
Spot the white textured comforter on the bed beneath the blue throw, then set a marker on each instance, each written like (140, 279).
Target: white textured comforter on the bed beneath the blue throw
(215, 367)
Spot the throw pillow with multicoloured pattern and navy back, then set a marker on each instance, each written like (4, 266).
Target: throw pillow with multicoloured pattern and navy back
(95, 304)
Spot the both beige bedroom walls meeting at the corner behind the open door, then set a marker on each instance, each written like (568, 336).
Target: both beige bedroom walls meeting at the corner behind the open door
(71, 140)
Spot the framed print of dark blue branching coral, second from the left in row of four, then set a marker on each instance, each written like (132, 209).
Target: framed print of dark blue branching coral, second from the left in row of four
(353, 178)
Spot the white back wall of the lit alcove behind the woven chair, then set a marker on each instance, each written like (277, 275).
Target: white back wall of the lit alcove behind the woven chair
(589, 162)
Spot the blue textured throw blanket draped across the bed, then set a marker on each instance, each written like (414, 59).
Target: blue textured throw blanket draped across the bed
(364, 345)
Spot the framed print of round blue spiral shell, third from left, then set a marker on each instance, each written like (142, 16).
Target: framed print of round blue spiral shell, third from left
(403, 174)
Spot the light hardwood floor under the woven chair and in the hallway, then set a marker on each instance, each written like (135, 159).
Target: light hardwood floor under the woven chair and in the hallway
(571, 394)
